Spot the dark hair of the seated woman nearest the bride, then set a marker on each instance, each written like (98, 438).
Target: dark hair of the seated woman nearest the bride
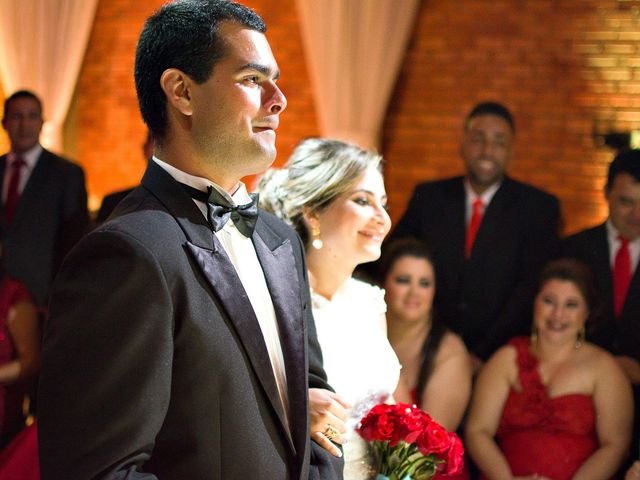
(410, 247)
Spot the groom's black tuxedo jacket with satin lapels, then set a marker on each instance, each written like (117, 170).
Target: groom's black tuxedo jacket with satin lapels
(154, 365)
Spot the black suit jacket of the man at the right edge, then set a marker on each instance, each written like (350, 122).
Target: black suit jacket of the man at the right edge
(621, 336)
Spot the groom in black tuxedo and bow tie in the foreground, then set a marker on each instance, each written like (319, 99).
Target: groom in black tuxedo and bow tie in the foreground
(180, 345)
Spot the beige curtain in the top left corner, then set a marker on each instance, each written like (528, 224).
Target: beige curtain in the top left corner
(42, 44)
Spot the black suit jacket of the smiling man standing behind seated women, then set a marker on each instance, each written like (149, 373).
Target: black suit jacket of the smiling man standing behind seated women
(487, 298)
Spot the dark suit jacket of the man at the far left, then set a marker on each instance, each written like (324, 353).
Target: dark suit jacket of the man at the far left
(50, 218)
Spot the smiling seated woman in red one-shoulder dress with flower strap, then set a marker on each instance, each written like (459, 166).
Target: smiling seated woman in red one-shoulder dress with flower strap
(554, 406)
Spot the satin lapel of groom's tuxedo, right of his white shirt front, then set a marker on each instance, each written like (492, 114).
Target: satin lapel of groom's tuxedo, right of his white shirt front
(278, 264)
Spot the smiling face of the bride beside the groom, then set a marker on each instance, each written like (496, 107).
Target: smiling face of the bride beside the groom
(354, 224)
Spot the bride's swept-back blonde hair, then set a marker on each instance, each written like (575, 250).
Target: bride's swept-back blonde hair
(318, 171)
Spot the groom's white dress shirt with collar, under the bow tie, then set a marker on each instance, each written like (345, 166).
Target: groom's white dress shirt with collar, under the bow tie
(243, 256)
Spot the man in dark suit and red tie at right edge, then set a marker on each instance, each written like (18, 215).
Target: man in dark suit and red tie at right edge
(612, 250)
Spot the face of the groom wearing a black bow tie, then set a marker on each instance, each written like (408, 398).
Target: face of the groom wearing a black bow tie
(236, 111)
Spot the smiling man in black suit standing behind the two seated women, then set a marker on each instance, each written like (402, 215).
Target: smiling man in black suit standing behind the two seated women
(489, 235)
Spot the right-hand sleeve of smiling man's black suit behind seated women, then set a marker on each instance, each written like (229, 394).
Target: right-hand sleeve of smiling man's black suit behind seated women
(540, 243)
